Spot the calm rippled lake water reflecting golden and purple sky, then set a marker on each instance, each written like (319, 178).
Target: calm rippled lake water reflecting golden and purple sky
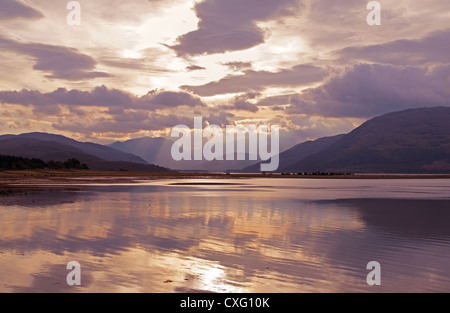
(255, 235)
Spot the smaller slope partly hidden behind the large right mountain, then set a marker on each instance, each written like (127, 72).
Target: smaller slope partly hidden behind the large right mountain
(297, 153)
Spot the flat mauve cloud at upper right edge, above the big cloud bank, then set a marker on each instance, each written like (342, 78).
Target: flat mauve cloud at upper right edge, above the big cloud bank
(434, 48)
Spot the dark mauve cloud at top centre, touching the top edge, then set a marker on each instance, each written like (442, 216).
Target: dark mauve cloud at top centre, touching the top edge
(230, 25)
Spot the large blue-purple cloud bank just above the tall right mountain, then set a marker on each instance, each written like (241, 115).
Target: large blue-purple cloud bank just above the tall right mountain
(366, 91)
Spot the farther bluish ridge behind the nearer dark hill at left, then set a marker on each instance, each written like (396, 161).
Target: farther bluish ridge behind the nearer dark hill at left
(92, 149)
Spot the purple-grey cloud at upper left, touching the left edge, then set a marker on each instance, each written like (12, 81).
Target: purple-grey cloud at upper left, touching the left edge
(62, 62)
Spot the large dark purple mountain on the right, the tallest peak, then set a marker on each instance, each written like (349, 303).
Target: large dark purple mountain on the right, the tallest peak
(412, 141)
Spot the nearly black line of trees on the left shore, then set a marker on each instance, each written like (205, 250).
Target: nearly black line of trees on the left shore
(8, 162)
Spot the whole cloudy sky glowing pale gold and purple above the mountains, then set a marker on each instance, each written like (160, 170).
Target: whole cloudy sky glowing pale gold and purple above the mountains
(140, 67)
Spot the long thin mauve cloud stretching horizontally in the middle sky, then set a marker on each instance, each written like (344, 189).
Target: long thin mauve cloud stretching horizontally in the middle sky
(254, 81)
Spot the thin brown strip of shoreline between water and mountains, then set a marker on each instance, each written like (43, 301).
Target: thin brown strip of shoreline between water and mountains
(39, 179)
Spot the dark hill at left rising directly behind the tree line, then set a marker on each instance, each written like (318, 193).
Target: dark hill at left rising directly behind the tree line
(24, 146)
